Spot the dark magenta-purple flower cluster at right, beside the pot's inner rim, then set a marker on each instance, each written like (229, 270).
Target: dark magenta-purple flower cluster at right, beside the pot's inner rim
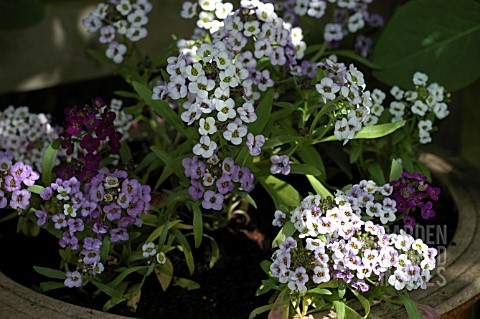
(411, 191)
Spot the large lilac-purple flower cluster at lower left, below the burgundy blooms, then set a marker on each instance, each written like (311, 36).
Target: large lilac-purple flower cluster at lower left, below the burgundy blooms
(88, 212)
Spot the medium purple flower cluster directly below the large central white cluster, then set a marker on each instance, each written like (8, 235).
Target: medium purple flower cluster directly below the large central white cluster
(213, 180)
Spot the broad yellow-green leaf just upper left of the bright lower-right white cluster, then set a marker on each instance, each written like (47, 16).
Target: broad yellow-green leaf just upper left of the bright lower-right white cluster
(283, 194)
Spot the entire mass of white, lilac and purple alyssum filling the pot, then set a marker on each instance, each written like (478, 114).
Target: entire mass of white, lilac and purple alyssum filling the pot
(241, 101)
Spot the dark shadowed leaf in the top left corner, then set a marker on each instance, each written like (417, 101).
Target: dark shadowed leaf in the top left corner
(20, 14)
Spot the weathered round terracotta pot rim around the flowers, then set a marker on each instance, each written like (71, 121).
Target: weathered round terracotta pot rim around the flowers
(456, 286)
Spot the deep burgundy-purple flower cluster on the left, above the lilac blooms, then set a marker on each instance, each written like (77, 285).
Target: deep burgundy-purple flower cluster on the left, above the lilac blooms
(89, 129)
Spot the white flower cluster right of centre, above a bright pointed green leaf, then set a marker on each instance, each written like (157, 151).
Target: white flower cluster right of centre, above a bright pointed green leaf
(347, 88)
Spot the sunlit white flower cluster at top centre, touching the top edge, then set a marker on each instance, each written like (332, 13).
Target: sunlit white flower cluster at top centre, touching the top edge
(255, 21)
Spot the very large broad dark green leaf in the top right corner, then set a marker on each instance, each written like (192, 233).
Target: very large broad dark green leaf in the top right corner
(438, 37)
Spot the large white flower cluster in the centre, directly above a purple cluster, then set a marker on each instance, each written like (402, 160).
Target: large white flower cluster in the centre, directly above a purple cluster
(214, 86)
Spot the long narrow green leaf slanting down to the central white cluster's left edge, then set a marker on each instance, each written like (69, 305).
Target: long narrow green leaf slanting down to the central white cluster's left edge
(162, 108)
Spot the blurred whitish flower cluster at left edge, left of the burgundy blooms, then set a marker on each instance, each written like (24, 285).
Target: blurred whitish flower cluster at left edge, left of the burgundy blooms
(26, 134)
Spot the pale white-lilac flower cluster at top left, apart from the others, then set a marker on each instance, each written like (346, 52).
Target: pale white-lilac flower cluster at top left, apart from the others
(119, 22)
